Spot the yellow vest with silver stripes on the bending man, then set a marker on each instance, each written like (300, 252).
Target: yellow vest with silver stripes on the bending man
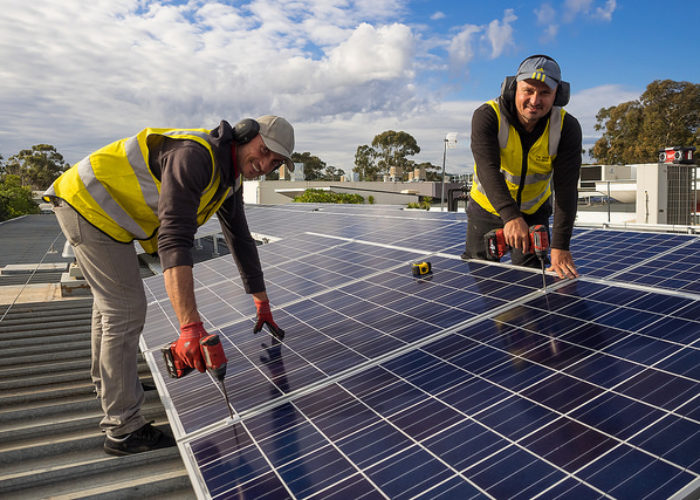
(115, 190)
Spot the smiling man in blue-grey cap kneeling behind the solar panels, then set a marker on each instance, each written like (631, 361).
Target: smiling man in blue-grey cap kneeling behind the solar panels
(522, 141)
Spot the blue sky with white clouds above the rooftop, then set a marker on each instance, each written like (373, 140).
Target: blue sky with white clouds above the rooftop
(80, 74)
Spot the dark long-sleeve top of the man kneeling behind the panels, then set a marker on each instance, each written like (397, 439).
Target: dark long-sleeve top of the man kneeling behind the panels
(565, 167)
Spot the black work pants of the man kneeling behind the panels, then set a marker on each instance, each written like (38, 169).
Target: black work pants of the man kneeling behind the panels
(480, 222)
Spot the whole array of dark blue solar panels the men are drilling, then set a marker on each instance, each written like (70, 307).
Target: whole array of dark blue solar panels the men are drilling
(471, 384)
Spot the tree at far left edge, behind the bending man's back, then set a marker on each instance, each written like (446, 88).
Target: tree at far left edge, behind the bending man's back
(37, 167)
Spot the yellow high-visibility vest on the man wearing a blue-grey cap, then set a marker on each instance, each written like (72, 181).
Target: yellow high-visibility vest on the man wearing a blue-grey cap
(536, 188)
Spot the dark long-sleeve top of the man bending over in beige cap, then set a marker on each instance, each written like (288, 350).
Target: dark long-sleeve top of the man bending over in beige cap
(184, 169)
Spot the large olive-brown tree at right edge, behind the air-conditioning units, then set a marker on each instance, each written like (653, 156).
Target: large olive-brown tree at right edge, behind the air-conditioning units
(666, 114)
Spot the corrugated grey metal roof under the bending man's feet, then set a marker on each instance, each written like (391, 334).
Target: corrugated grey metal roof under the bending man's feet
(50, 442)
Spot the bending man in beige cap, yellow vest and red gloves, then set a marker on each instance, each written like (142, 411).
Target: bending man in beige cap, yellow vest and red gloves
(158, 187)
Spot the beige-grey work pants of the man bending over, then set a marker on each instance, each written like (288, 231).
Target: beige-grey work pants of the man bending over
(118, 315)
